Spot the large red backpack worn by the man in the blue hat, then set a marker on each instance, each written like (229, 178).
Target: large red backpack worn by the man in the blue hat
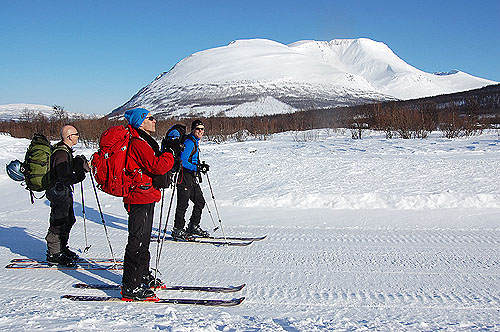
(108, 163)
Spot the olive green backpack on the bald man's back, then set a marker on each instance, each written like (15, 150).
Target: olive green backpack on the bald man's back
(37, 164)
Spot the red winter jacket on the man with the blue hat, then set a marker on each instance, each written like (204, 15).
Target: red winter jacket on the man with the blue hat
(142, 163)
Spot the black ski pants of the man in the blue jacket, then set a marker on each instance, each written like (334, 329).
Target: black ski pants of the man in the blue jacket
(188, 189)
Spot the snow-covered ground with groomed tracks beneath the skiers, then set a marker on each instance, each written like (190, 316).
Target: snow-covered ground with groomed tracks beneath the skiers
(369, 234)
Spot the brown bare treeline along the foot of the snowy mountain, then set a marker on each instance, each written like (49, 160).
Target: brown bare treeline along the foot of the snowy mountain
(455, 115)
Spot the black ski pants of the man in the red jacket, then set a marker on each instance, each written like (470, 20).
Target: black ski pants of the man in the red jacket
(136, 260)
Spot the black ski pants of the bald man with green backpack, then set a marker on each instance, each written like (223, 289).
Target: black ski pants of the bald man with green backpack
(62, 217)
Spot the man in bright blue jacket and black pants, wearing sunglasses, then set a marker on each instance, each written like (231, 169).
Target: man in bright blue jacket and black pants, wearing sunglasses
(188, 187)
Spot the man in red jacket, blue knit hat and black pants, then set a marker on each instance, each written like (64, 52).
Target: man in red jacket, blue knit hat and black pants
(144, 162)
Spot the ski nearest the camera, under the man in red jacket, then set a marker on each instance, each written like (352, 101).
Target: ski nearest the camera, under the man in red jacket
(202, 302)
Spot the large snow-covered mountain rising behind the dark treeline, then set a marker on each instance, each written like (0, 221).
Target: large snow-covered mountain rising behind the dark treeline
(260, 76)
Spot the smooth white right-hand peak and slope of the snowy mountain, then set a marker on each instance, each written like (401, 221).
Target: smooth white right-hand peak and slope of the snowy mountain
(385, 71)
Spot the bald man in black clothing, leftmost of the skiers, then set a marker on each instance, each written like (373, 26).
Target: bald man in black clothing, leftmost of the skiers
(65, 171)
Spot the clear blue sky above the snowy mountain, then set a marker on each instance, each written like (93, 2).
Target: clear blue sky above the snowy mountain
(92, 56)
